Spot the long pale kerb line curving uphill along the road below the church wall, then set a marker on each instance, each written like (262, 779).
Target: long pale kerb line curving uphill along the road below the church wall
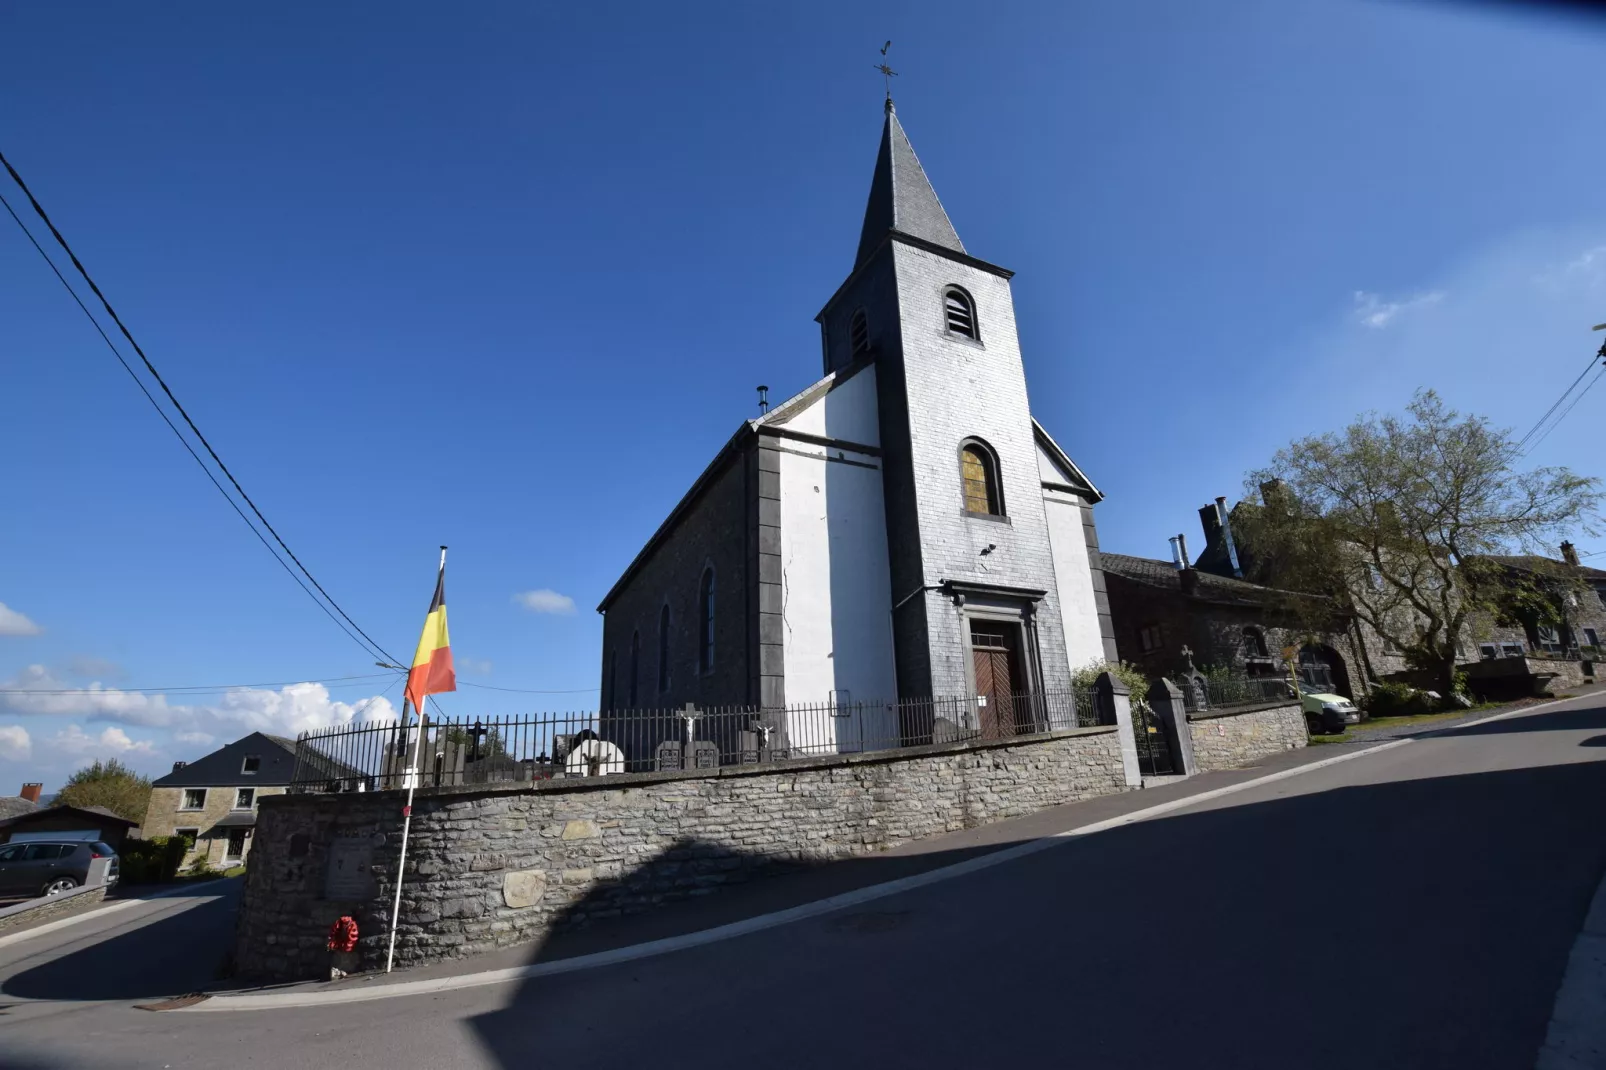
(325, 997)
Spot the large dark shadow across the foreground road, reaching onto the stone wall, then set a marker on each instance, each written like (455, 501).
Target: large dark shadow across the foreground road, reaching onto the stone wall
(1401, 925)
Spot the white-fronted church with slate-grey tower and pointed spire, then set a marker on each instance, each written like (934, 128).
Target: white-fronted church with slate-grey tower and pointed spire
(900, 531)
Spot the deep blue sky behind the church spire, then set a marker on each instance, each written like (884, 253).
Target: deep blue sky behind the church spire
(507, 279)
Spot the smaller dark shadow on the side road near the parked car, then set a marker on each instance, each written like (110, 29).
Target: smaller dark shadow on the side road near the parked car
(179, 952)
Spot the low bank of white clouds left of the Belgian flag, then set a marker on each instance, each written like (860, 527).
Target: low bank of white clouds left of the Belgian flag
(283, 713)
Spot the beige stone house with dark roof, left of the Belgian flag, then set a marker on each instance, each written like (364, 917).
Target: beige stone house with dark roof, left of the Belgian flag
(214, 799)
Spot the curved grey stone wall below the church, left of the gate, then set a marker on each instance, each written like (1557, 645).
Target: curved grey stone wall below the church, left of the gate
(497, 867)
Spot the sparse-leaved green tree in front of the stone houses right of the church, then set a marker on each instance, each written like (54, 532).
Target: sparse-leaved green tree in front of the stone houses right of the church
(1396, 518)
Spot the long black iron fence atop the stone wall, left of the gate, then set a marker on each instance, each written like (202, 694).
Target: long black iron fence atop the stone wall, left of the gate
(523, 749)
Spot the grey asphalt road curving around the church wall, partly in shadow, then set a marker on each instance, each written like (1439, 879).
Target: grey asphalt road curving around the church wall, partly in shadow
(1408, 909)
